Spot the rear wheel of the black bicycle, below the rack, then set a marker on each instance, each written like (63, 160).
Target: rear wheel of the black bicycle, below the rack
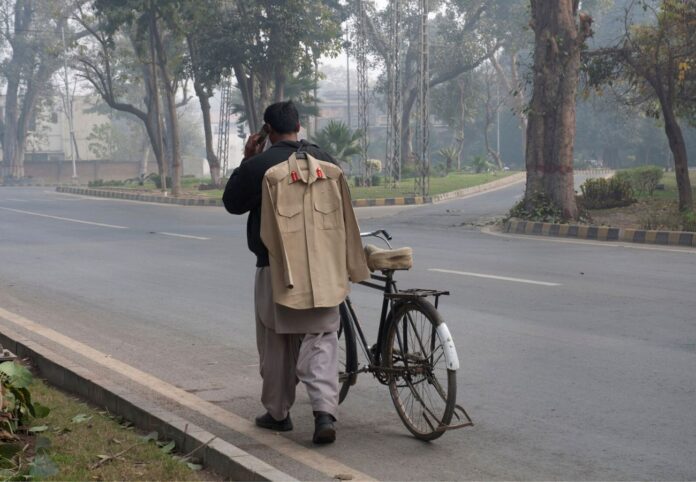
(425, 412)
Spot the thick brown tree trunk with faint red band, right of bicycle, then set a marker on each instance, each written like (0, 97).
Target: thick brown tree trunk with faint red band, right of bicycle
(551, 125)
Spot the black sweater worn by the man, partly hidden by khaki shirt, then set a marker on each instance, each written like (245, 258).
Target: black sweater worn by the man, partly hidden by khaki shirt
(243, 190)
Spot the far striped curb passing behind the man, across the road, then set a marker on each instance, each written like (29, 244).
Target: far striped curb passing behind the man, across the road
(358, 203)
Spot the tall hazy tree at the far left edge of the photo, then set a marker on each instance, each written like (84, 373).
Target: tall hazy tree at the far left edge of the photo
(29, 29)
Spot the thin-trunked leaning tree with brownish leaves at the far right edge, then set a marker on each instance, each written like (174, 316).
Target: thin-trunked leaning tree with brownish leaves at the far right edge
(656, 62)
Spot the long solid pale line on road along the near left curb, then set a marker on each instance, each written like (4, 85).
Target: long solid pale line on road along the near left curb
(309, 457)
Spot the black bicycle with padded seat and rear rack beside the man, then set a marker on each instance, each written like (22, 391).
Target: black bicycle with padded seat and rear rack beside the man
(414, 354)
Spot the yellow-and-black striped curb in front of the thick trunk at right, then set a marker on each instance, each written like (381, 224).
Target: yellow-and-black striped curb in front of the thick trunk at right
(602, 233)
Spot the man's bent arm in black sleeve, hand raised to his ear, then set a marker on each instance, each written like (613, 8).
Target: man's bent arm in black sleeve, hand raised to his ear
(243, 190)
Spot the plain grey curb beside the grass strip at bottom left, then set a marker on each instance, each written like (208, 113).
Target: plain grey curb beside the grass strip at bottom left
(220, 456)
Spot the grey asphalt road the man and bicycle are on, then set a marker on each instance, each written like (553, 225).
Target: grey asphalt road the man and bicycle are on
(588, 376)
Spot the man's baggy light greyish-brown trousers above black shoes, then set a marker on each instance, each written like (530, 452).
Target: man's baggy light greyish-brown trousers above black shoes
(286, 359)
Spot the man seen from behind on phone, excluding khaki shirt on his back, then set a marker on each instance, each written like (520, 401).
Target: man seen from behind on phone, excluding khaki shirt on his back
(292, 344)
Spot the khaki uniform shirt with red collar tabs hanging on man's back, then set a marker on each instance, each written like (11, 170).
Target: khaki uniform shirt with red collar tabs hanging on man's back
(309, 228)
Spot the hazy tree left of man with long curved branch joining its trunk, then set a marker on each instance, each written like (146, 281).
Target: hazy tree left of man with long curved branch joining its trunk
(155, 52)
